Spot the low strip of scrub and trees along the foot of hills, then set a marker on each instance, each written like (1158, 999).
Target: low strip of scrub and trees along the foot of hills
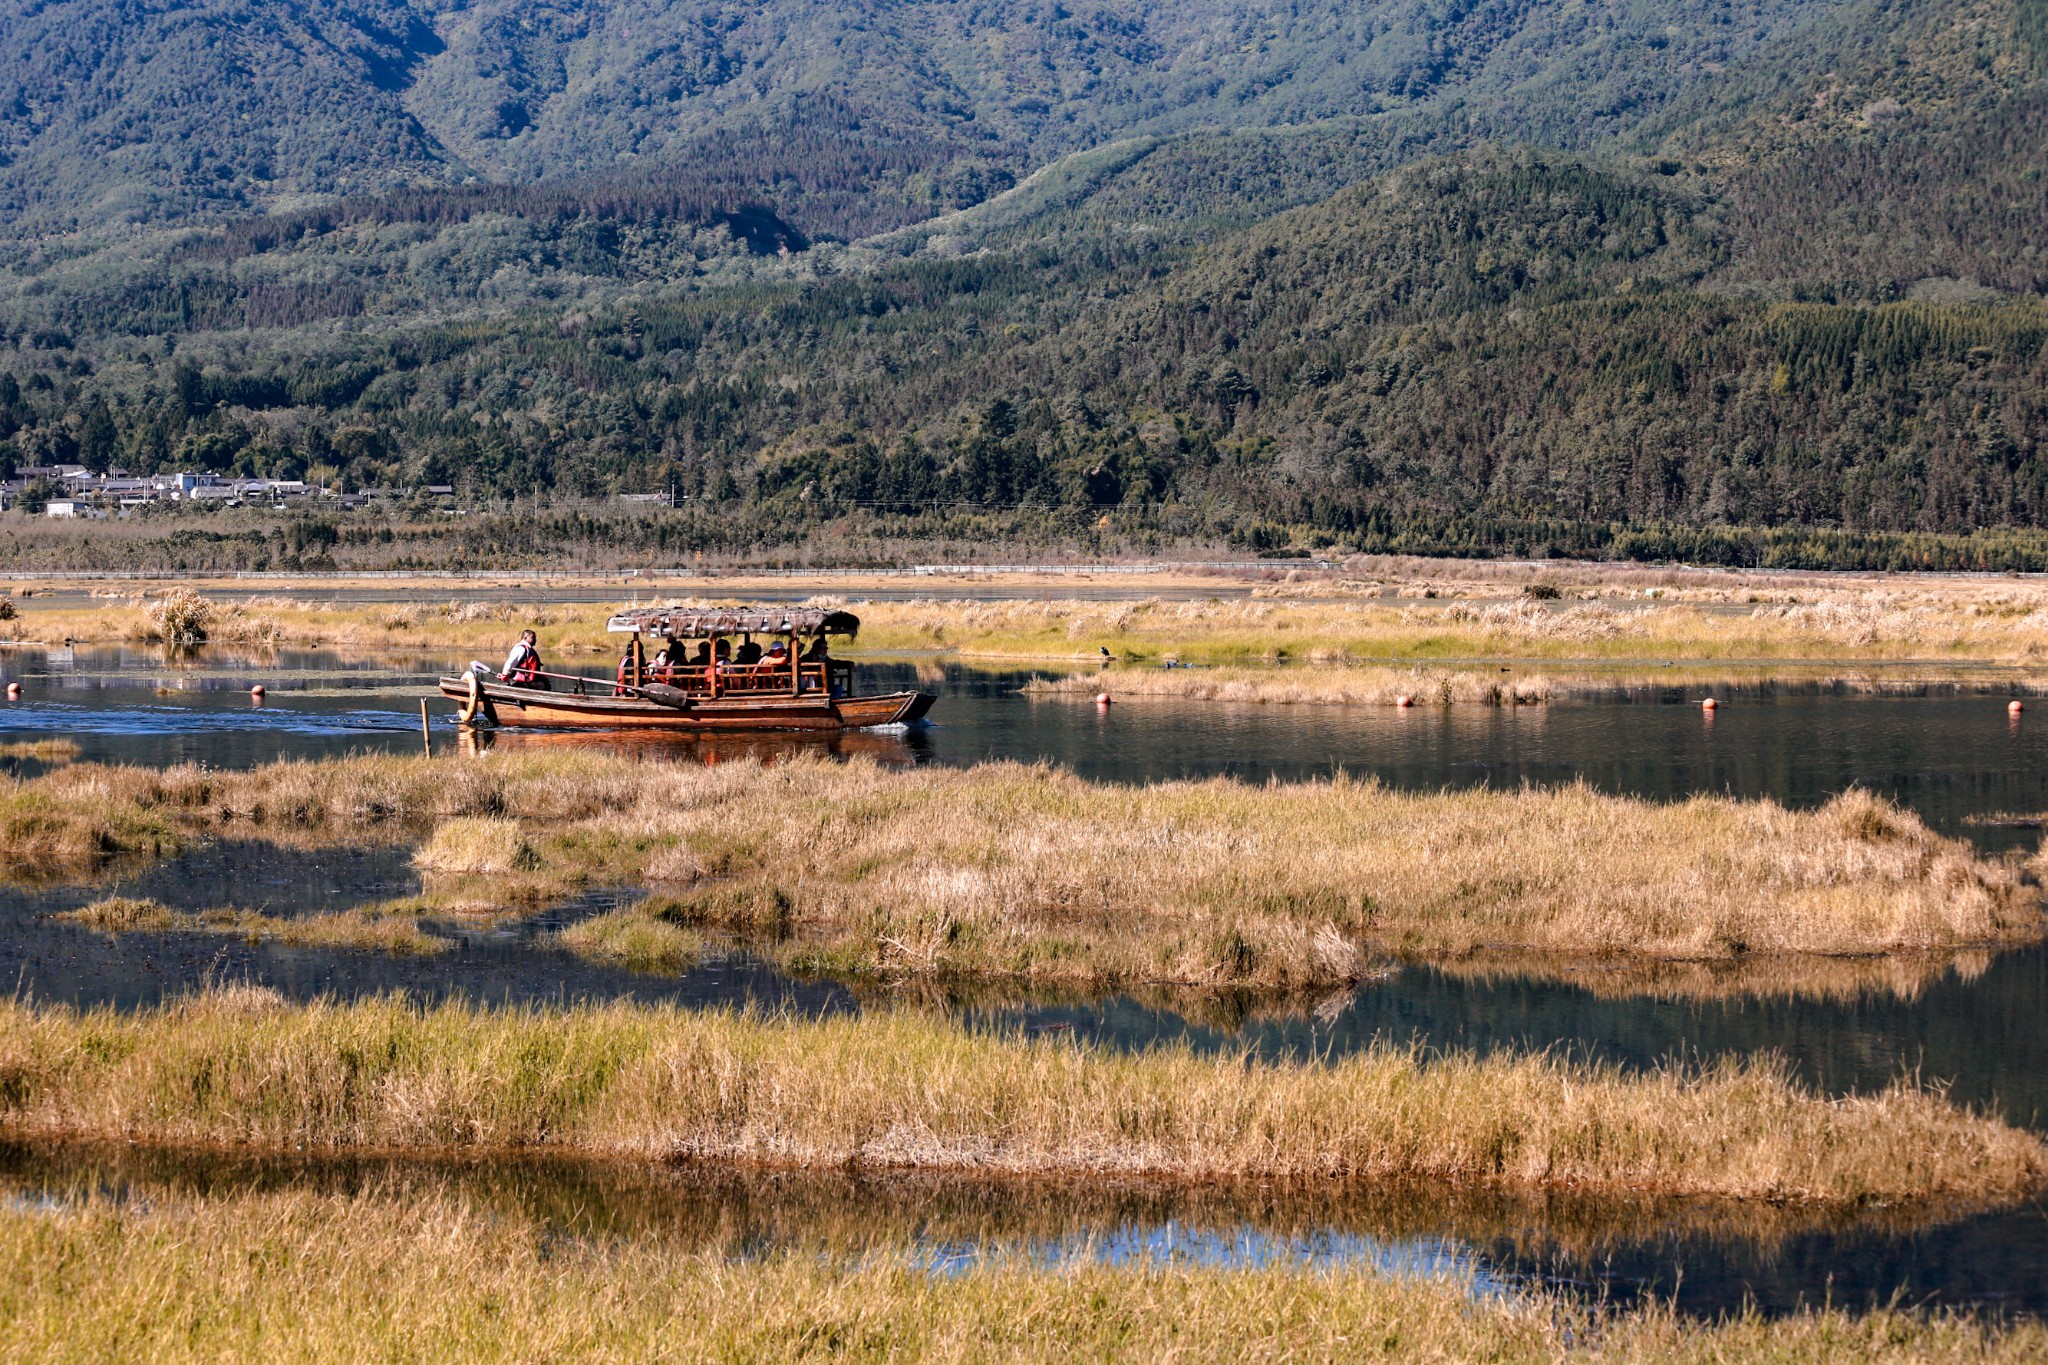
(605, 539)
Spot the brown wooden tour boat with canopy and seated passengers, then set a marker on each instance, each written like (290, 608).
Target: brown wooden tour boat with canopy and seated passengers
(792, 695)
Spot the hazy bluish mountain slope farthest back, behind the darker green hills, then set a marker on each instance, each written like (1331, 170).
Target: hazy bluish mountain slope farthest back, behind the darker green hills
(151, 109)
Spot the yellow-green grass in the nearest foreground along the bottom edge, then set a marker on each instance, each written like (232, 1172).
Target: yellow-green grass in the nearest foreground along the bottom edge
(382, 1276)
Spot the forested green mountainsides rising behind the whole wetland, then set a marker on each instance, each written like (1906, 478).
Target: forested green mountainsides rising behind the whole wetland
(1736, 283)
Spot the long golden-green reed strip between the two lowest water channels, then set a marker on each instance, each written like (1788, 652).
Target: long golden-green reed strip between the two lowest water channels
(906, 1092)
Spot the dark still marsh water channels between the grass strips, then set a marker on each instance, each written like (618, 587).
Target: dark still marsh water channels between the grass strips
(1975, 1024)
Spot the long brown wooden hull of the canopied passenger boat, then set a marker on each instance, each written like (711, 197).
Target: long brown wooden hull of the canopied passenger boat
(568, 711)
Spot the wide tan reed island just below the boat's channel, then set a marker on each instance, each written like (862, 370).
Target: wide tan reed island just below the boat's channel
(1013, 871)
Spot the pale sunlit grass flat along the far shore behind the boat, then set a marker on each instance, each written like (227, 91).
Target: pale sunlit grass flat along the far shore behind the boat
(1396, 621)
